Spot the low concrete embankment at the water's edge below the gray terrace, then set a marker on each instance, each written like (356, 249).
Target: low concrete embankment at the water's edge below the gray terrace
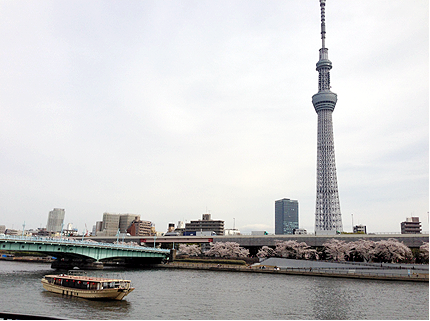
(414, 277)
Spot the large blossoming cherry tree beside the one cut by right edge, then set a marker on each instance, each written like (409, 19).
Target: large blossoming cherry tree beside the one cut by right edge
(392, 251)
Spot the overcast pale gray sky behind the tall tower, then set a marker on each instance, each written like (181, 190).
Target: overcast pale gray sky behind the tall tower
(169, 109)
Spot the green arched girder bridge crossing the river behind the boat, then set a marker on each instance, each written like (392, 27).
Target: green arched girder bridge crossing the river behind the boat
(72, 253)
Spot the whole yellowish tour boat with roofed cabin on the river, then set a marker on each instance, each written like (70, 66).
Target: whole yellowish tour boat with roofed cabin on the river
(80, 285)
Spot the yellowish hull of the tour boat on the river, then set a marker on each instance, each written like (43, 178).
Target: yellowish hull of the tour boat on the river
(105, 294)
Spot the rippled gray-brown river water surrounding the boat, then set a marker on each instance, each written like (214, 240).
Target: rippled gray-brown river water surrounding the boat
(209, 295)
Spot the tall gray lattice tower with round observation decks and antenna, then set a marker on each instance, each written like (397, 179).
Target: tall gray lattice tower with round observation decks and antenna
(328, 219)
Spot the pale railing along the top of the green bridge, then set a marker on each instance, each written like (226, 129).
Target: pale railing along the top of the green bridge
(80, 242)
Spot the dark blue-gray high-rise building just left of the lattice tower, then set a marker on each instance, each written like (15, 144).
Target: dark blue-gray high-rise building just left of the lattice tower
(286, 216)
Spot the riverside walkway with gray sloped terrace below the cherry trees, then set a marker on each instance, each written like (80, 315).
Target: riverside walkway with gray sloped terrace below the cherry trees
(393, 272)
